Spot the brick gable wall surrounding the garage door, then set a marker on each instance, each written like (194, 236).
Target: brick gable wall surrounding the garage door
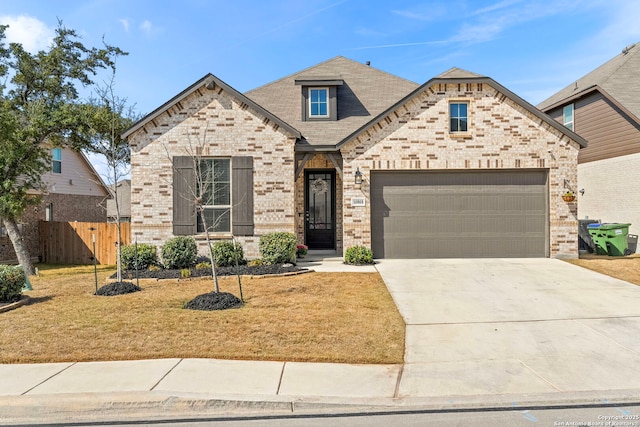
(502, 135)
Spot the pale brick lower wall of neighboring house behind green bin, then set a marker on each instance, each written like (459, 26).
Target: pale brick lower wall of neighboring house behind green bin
(611, 191)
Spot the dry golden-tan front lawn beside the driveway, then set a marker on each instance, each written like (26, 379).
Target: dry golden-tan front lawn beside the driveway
(313, 317)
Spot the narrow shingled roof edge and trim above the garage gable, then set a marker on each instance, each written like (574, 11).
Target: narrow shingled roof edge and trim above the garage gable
(457, 75)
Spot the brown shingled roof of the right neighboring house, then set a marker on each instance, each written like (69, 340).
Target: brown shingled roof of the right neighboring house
(618, 80)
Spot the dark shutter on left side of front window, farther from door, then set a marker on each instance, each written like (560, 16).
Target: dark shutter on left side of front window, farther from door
(184, 209)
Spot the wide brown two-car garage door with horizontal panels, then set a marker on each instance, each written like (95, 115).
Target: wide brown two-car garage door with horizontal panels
(459, 214)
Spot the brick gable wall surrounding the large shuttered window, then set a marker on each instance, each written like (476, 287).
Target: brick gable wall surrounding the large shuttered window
(211, 123)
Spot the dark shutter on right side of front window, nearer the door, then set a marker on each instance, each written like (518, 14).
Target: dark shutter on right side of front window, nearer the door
(242, 195)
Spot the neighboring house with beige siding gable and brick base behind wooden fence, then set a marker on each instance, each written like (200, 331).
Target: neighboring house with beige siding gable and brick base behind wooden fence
(75, 192)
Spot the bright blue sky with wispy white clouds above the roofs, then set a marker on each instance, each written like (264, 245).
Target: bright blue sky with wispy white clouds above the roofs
(534, 47)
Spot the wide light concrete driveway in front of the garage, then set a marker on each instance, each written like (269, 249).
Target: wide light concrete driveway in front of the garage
(503, 326)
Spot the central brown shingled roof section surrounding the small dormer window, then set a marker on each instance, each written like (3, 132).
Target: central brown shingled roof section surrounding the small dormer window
(362, 93)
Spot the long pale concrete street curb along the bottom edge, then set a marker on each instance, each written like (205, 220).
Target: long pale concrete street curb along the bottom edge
(60, 408)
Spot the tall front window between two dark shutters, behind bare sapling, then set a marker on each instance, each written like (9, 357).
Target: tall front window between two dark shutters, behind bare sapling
(214, 187)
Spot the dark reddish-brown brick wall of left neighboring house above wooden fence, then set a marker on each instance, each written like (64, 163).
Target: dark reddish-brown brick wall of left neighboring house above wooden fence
(66, 207)
